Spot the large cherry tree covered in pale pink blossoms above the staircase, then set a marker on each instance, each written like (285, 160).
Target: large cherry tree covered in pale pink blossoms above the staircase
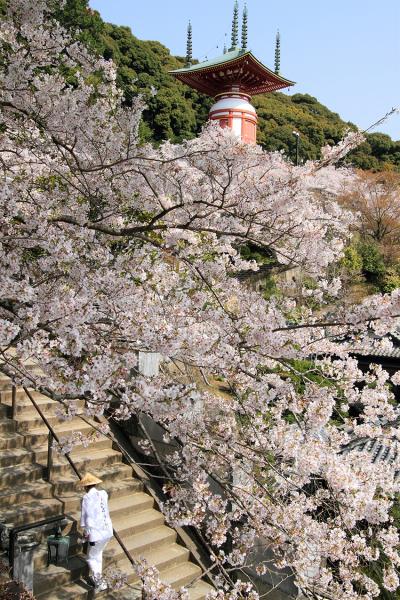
(109, 247)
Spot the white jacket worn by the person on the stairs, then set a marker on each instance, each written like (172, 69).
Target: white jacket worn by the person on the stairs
(95, 517)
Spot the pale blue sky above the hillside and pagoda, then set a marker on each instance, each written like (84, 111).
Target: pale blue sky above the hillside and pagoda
(344, 52)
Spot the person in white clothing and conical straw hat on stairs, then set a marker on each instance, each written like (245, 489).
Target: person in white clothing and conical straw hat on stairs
(97, 526)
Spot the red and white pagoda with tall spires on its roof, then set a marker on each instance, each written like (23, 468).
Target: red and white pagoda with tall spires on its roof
(232, 79)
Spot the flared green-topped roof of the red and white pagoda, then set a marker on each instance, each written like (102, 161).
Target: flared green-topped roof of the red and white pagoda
(236, 67)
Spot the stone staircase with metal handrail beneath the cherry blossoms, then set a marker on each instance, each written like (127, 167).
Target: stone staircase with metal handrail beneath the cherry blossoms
(25, 497)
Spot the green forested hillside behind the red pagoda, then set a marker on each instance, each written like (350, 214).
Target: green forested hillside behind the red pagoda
(177, 112)
